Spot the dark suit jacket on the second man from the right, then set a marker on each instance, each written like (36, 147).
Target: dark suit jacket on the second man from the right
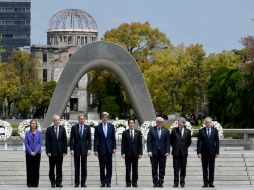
(180, 145)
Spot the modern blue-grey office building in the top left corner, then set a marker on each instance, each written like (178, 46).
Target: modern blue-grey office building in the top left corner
(15, 19)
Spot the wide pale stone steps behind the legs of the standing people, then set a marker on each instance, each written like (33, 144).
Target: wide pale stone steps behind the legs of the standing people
(233, 169)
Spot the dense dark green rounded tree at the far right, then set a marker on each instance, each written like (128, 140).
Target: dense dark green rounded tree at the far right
(226, 96)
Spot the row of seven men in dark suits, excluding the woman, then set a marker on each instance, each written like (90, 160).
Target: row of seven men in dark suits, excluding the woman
(159, 141)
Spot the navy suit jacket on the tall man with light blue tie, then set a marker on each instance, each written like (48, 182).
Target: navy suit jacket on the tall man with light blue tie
(104, 145)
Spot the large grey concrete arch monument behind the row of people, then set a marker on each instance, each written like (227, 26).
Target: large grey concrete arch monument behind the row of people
(111, 57)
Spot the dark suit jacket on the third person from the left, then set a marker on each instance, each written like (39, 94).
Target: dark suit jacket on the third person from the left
(80, 145)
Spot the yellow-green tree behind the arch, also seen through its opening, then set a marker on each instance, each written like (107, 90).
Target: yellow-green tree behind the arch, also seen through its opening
(141, 41)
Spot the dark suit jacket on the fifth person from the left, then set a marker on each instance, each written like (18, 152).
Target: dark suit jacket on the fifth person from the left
(132, 147)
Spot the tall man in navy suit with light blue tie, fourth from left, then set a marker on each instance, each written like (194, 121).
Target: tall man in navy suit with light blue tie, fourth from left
(104, 147)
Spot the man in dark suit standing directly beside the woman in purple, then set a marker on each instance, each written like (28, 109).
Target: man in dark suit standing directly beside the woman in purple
(56, 148)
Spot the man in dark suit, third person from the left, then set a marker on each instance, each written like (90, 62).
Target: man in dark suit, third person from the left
(80, 148)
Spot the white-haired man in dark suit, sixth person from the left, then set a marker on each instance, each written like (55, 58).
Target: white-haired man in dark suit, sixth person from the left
(158, 146)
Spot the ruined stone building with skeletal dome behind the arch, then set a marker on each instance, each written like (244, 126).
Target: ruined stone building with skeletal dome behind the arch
(68, 31)
